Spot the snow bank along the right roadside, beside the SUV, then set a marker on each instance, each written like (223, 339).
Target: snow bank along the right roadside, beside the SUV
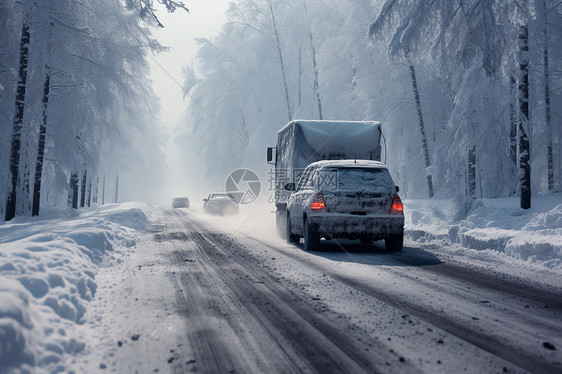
(533, 235)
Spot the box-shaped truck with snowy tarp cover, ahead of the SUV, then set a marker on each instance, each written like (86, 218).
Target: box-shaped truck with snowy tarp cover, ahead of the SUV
(302, 142)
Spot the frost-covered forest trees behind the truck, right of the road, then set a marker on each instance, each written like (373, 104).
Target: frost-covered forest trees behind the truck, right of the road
(367, 60)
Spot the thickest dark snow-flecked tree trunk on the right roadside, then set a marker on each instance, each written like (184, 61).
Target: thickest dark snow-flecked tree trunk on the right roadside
(524, 144)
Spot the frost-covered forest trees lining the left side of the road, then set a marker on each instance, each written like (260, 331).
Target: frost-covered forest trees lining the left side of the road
(88, 97)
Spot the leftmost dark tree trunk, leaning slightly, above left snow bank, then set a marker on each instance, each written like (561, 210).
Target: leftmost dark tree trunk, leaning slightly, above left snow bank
(18, 118)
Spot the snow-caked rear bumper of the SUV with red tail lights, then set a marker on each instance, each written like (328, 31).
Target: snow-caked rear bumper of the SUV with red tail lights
(354, 226)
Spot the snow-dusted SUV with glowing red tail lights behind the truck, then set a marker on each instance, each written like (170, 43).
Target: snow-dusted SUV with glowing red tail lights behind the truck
(345, 199)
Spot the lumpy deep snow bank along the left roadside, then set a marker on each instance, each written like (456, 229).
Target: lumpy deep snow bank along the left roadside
(47, 278)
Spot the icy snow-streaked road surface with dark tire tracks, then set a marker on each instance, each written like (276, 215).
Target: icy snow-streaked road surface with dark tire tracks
(198, 296)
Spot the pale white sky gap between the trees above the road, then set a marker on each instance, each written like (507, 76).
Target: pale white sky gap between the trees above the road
(180, 28)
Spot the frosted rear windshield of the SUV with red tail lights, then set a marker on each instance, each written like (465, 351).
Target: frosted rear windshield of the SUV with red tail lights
(356, 179)
